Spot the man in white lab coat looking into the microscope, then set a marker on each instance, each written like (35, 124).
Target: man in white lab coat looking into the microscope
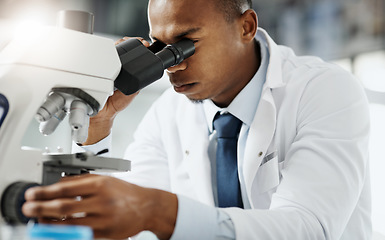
(300, 168)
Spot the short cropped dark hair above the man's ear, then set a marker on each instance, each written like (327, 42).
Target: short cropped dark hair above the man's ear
(233, 8)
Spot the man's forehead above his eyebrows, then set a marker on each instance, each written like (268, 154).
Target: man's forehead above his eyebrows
(172, 17)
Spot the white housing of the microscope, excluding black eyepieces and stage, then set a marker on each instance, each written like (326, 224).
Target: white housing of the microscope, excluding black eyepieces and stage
(78, 66)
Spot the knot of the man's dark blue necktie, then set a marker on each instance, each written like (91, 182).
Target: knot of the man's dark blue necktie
(227, 126)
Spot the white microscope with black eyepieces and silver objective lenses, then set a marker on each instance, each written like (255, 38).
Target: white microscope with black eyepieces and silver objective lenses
(66, 71)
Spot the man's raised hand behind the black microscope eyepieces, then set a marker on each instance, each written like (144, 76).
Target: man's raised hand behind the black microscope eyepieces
(101, 124)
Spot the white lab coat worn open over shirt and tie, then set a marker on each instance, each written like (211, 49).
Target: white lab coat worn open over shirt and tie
(312, 118)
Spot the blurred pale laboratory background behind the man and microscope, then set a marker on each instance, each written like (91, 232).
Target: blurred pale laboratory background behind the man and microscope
(350, 33)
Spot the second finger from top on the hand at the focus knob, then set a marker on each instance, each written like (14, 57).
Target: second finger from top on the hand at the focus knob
(62, 207)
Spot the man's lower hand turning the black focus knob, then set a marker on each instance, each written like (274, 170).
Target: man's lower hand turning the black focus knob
(111, 207)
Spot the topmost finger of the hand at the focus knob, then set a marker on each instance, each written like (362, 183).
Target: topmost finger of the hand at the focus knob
(79, 186)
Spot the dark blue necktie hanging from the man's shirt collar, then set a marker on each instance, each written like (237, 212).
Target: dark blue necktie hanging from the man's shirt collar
(227, 127)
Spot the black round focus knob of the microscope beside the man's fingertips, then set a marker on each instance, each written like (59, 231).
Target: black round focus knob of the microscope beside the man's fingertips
(12, 201)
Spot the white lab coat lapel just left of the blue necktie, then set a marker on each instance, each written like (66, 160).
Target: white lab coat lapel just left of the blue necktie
(194, 136)
